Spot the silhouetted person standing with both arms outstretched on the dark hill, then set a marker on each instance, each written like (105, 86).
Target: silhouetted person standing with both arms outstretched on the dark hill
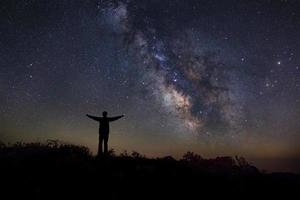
(104, 129)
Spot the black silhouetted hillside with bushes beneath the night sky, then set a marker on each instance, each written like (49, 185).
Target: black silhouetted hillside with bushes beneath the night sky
(53, 170)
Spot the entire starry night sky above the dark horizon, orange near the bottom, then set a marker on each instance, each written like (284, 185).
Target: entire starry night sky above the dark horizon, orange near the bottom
(214, 77)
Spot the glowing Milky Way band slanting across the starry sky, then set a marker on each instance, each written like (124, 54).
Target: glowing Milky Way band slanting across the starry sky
(189, 81)
